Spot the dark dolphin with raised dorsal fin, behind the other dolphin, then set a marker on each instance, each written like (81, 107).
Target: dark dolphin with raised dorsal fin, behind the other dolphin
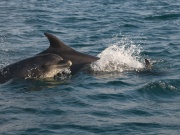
(67, 53)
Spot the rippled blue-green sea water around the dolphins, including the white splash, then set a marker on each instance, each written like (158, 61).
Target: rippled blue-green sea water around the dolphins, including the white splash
(115, 95)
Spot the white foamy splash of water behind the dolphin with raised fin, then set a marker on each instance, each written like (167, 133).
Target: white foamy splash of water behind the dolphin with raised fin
(118, 57)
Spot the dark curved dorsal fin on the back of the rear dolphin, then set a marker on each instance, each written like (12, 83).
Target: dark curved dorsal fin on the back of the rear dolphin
(56, 43)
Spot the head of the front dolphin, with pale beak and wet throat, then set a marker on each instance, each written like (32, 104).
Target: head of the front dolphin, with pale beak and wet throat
(48, 65)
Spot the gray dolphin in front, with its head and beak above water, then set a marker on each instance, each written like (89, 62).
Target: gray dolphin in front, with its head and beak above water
(39, 66)
